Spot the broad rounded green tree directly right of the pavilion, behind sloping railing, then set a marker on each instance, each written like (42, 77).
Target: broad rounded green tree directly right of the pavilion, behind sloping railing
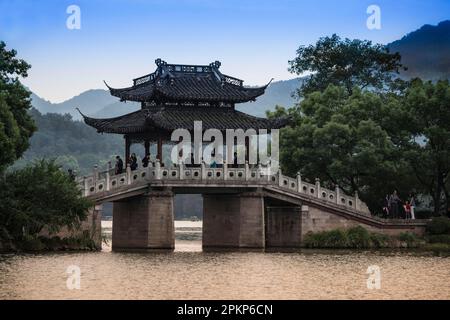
(350, 140)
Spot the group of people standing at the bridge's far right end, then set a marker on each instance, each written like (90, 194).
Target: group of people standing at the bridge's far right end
(396, 208)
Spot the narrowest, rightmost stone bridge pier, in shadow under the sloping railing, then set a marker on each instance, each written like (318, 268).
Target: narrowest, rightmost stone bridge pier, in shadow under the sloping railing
(283, 227)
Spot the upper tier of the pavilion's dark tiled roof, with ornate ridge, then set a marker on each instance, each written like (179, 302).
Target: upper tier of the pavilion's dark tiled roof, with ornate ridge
(188, 83)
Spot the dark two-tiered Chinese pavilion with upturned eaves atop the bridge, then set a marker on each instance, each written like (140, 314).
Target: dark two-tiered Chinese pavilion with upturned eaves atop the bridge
(173, 97)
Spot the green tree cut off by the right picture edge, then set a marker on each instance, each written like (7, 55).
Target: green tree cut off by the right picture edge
(428, 107)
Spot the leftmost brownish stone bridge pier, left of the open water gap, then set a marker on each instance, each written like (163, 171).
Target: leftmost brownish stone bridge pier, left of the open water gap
(144, 222)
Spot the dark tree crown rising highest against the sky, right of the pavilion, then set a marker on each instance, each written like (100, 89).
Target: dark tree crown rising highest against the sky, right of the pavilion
(347, 63)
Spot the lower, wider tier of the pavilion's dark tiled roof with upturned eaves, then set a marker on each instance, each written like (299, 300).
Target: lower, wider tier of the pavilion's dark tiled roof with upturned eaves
(175, 117)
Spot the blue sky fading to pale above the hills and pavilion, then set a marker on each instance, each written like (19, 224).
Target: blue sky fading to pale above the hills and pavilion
(254, 39)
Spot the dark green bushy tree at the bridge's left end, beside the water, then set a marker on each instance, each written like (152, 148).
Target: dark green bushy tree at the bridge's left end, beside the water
(37, 196)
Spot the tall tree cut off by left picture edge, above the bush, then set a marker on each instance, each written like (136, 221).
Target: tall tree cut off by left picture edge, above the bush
(16, 125)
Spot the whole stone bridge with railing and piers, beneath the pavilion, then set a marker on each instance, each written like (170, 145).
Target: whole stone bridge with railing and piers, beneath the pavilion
(242, 207)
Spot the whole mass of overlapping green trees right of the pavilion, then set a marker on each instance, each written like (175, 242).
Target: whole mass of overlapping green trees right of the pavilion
(350, 133)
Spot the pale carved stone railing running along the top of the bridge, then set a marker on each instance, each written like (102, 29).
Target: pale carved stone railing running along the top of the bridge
(107, 181)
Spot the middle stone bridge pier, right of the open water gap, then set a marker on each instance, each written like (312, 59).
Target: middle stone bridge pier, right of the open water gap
(235, 221)
